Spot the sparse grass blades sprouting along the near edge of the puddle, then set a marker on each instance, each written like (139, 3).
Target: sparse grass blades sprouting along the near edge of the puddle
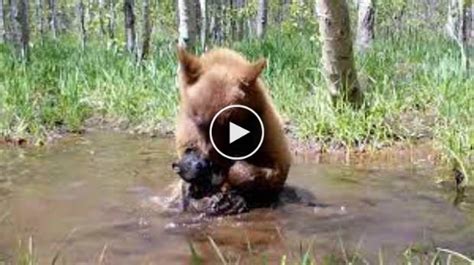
(26, 254)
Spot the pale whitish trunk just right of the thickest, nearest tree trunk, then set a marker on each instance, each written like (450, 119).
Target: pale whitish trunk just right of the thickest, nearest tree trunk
(365, 25)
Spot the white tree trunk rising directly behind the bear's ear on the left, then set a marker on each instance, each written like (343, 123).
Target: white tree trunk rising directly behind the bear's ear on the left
(187, 23)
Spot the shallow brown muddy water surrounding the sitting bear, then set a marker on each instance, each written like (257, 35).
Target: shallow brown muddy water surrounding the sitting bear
(96, 199)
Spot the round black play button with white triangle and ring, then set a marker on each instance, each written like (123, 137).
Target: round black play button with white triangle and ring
(236, 132)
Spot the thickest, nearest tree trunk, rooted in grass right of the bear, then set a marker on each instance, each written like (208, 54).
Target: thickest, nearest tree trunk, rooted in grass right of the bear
(337, 51)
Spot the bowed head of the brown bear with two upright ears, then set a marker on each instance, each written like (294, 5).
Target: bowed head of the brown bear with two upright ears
(219, 78)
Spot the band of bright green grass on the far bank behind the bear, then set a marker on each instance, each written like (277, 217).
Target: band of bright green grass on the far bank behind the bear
(414, 86)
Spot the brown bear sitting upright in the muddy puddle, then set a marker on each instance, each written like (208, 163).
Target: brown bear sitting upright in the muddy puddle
(219, 78)
